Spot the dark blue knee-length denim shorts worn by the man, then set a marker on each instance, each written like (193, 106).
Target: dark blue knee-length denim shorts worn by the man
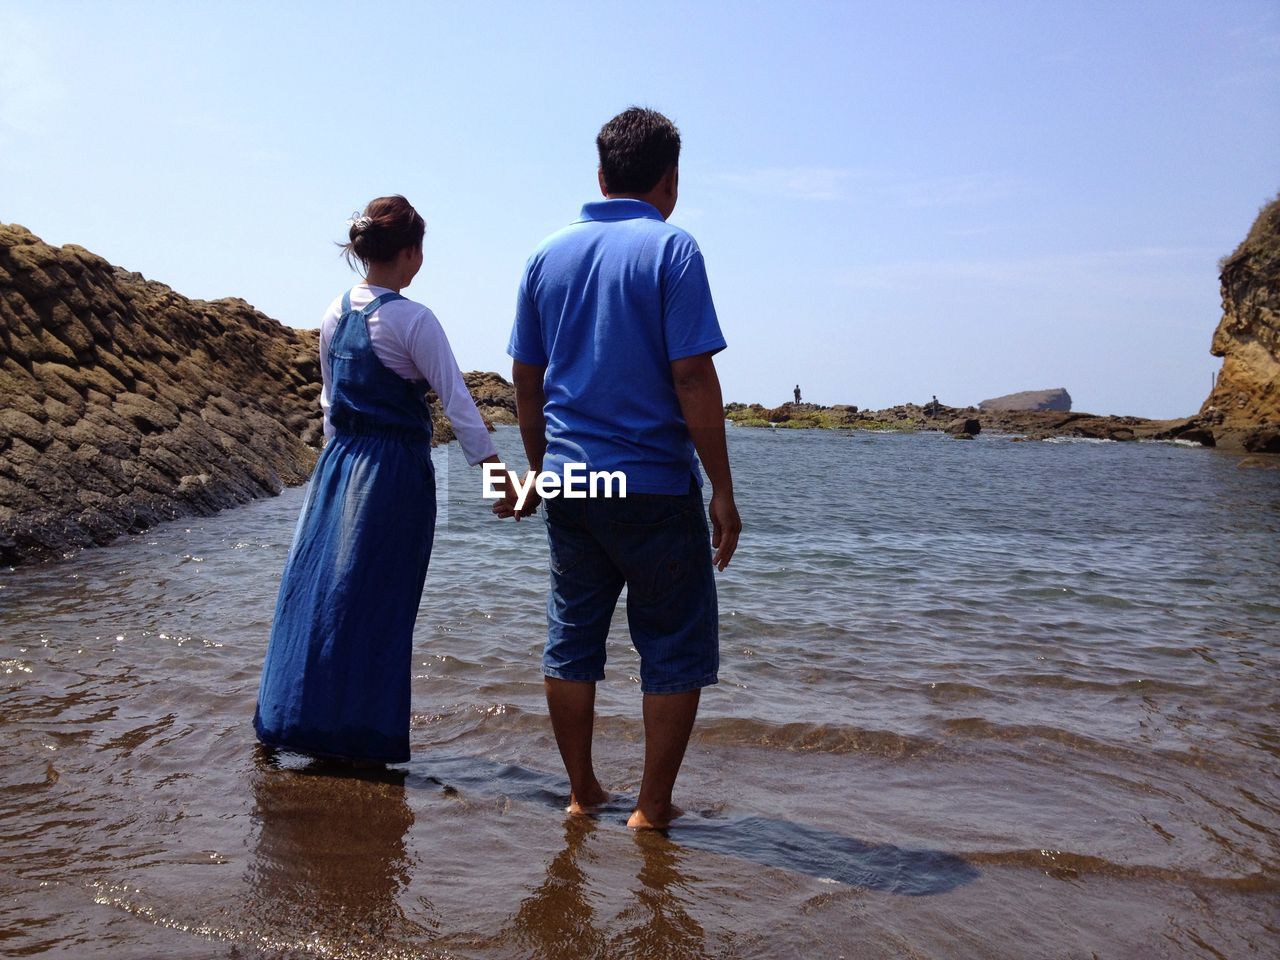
(660, 548)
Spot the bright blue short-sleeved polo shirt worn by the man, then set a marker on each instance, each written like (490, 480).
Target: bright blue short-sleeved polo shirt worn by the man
(606, 305)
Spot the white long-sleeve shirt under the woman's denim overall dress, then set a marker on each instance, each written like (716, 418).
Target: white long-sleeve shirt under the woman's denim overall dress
(410, 342)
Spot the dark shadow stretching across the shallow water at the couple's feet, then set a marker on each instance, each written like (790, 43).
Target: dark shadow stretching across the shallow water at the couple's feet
(770, 843)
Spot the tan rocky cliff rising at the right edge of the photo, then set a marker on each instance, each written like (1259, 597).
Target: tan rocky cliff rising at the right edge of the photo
(1244, 409)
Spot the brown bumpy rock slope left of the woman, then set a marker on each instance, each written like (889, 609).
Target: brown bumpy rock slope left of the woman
(124, 404)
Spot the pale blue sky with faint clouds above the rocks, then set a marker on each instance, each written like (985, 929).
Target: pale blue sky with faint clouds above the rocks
(895, 200)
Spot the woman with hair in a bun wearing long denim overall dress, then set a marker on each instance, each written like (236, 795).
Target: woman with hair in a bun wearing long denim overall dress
(336, 682)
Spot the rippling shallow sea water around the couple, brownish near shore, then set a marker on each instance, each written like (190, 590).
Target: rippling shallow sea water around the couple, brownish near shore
(977, 700)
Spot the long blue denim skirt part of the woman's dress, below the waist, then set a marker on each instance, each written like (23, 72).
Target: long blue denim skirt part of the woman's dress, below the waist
(336, 682)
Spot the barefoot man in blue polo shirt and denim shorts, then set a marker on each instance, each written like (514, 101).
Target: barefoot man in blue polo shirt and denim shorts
(612, 363)
